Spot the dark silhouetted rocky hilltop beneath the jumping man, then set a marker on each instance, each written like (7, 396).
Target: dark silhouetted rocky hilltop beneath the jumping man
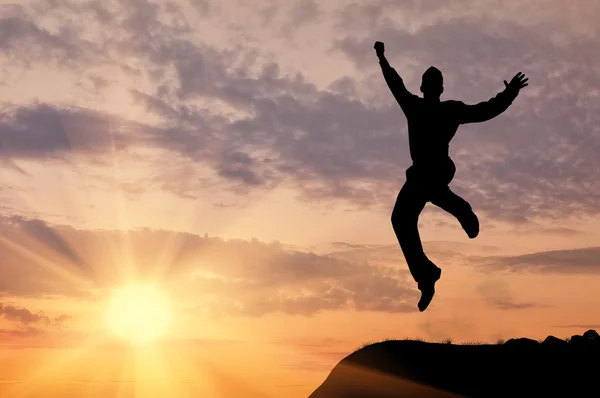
(520, 367)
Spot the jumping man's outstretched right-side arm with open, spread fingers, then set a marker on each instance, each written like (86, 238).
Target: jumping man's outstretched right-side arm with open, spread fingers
(487, 110)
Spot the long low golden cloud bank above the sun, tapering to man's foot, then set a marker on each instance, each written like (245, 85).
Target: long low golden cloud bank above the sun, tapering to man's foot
(234, 278)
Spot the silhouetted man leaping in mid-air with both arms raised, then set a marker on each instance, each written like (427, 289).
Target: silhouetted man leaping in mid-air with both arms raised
(431, 125)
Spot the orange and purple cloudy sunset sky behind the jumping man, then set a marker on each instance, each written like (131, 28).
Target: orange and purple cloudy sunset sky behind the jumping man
(242, 158)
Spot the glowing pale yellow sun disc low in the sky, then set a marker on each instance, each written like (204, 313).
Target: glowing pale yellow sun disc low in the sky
(139, 313)
